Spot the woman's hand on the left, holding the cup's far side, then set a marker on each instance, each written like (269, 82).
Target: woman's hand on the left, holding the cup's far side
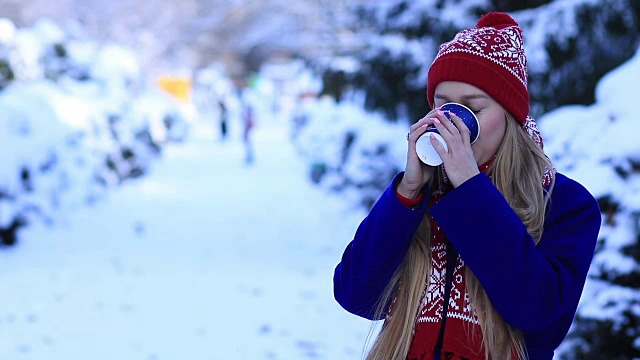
(416, 173)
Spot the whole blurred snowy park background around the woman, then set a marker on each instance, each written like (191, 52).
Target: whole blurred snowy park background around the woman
(131, 228)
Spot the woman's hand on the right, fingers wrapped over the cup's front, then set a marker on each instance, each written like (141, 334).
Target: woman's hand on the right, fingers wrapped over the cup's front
(459, 162)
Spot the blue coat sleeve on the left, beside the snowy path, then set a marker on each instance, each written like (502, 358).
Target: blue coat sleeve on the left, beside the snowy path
(376, 251)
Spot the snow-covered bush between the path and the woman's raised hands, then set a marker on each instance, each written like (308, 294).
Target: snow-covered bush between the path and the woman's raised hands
(351, 150)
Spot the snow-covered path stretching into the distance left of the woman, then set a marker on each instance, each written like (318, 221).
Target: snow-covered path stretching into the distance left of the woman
(204, 258)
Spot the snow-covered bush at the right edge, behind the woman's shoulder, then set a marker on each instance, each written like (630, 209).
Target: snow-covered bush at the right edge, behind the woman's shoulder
(597, 145)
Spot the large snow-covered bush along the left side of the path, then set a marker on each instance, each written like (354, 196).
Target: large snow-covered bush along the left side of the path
(75, 119)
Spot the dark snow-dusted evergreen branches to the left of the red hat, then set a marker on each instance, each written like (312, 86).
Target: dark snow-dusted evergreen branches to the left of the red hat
(402, 39)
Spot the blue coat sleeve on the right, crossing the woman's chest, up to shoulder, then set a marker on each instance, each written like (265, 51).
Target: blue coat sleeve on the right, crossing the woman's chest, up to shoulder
(530, 286)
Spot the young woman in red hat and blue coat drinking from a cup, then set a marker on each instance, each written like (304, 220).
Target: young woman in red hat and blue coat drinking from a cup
(486, 255)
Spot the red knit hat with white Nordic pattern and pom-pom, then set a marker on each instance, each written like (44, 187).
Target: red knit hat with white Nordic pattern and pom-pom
(490, 57)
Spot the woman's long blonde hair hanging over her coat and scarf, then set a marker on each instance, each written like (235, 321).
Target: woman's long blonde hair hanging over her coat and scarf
(518, 157)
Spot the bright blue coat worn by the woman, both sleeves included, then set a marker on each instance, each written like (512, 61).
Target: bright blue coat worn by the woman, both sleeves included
(534, 288)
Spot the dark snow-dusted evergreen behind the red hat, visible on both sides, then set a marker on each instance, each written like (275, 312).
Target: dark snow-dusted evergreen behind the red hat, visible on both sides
(570, 45)
